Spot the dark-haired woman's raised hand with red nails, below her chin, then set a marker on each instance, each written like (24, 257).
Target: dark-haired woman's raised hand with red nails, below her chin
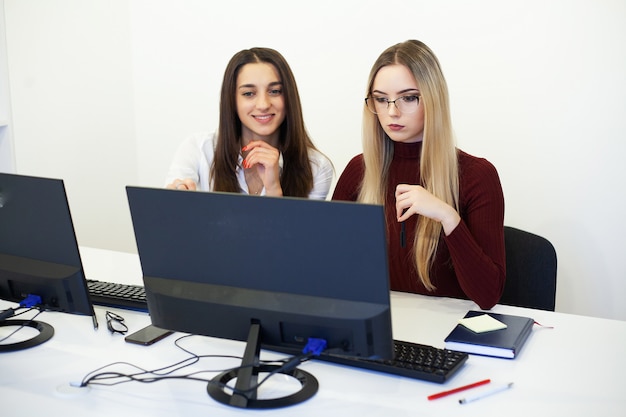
(265, 158)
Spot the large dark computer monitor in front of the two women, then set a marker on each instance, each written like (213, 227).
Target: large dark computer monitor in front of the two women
(221, 264)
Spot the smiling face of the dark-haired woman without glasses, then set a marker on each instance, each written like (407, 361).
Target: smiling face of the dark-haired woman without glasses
(260, 102)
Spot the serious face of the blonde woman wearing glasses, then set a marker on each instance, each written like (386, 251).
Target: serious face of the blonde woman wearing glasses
(396, 82)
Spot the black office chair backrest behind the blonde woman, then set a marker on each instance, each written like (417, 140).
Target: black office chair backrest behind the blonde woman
(530, 270)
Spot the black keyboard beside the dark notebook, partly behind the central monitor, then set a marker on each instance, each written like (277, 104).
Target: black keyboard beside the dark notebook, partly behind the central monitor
(410, 360)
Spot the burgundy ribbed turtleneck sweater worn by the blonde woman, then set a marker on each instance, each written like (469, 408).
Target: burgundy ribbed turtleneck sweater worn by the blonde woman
(470, 262)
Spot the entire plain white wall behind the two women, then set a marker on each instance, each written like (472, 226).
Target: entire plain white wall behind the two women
(103, 91)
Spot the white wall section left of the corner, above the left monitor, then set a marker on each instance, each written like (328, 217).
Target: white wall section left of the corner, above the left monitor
(73, 118)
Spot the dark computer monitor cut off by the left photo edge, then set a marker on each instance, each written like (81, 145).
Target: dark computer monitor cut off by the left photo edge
(38, 249)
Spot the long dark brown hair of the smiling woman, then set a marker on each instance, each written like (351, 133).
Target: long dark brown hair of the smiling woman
(294, 142)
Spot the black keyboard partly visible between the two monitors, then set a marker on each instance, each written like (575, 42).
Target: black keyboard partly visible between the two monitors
(110, 294)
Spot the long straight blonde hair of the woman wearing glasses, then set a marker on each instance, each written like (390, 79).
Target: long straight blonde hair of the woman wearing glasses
(439, 170)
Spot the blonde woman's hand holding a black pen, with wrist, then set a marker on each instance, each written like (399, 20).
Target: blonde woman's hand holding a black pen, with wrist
(414, 199)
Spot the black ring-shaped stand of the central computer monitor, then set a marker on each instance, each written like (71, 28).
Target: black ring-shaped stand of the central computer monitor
(245, 392)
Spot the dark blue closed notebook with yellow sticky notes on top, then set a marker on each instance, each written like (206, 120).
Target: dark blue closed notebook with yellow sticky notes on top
(503, 343)
